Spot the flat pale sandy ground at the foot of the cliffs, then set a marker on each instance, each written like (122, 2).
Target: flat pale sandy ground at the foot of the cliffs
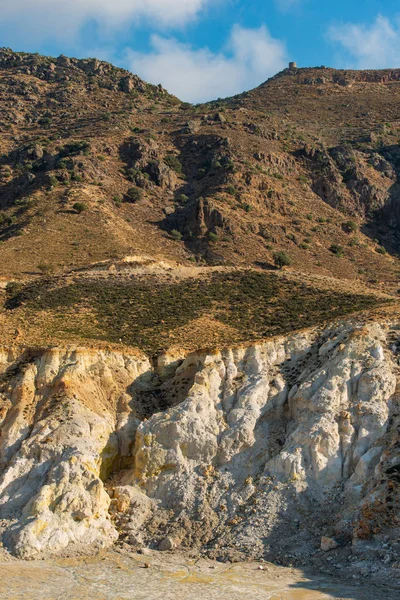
(112, 576)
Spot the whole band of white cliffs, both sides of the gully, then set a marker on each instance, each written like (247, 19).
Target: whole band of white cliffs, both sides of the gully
(251, 444)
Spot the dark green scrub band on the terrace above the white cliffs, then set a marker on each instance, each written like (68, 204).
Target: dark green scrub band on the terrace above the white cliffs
(146, 315)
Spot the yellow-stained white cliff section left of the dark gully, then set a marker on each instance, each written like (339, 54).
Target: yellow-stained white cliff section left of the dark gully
(60, 416)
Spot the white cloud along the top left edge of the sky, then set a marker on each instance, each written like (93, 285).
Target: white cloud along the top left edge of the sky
(54, 19)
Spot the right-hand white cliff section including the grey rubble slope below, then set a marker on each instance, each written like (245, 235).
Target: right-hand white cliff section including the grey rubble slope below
(287, 426)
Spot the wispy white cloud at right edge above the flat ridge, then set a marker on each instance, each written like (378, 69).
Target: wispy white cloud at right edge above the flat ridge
(373, 46)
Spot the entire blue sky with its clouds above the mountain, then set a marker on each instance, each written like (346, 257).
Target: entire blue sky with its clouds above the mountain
(205, 49)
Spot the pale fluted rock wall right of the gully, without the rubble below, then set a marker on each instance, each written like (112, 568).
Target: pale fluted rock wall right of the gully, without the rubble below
(332, 416)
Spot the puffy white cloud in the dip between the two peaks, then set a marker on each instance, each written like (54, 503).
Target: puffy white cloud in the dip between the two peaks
(196, 75)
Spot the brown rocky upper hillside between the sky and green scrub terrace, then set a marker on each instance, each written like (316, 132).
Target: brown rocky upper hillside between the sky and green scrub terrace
(98, 165)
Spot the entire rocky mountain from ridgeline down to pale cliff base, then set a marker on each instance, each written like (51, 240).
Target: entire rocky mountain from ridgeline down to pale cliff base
(199, 315)
